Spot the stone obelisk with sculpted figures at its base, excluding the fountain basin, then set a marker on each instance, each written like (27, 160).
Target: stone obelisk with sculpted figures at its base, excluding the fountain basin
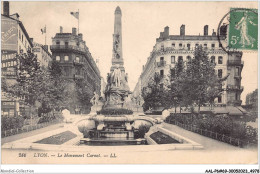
(117, 89)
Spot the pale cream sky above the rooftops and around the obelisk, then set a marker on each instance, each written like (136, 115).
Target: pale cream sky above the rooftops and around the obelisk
(142, 23)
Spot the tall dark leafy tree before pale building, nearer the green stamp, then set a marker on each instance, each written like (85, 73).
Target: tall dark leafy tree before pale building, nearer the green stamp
(202, 84)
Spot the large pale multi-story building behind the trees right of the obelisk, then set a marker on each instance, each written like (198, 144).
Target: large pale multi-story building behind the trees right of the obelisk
(169, 49)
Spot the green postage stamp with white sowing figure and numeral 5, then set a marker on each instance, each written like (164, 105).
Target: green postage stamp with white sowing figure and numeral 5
(243, 29)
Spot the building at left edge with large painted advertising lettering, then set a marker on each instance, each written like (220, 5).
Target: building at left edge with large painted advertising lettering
(15, 40)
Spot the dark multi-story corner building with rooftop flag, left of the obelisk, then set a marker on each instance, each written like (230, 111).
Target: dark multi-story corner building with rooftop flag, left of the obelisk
(73, 55)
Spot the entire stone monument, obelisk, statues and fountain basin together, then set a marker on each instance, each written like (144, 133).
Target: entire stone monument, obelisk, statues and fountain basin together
(114, 124)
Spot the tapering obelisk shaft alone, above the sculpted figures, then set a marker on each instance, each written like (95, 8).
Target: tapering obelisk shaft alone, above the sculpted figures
(117, 56)
